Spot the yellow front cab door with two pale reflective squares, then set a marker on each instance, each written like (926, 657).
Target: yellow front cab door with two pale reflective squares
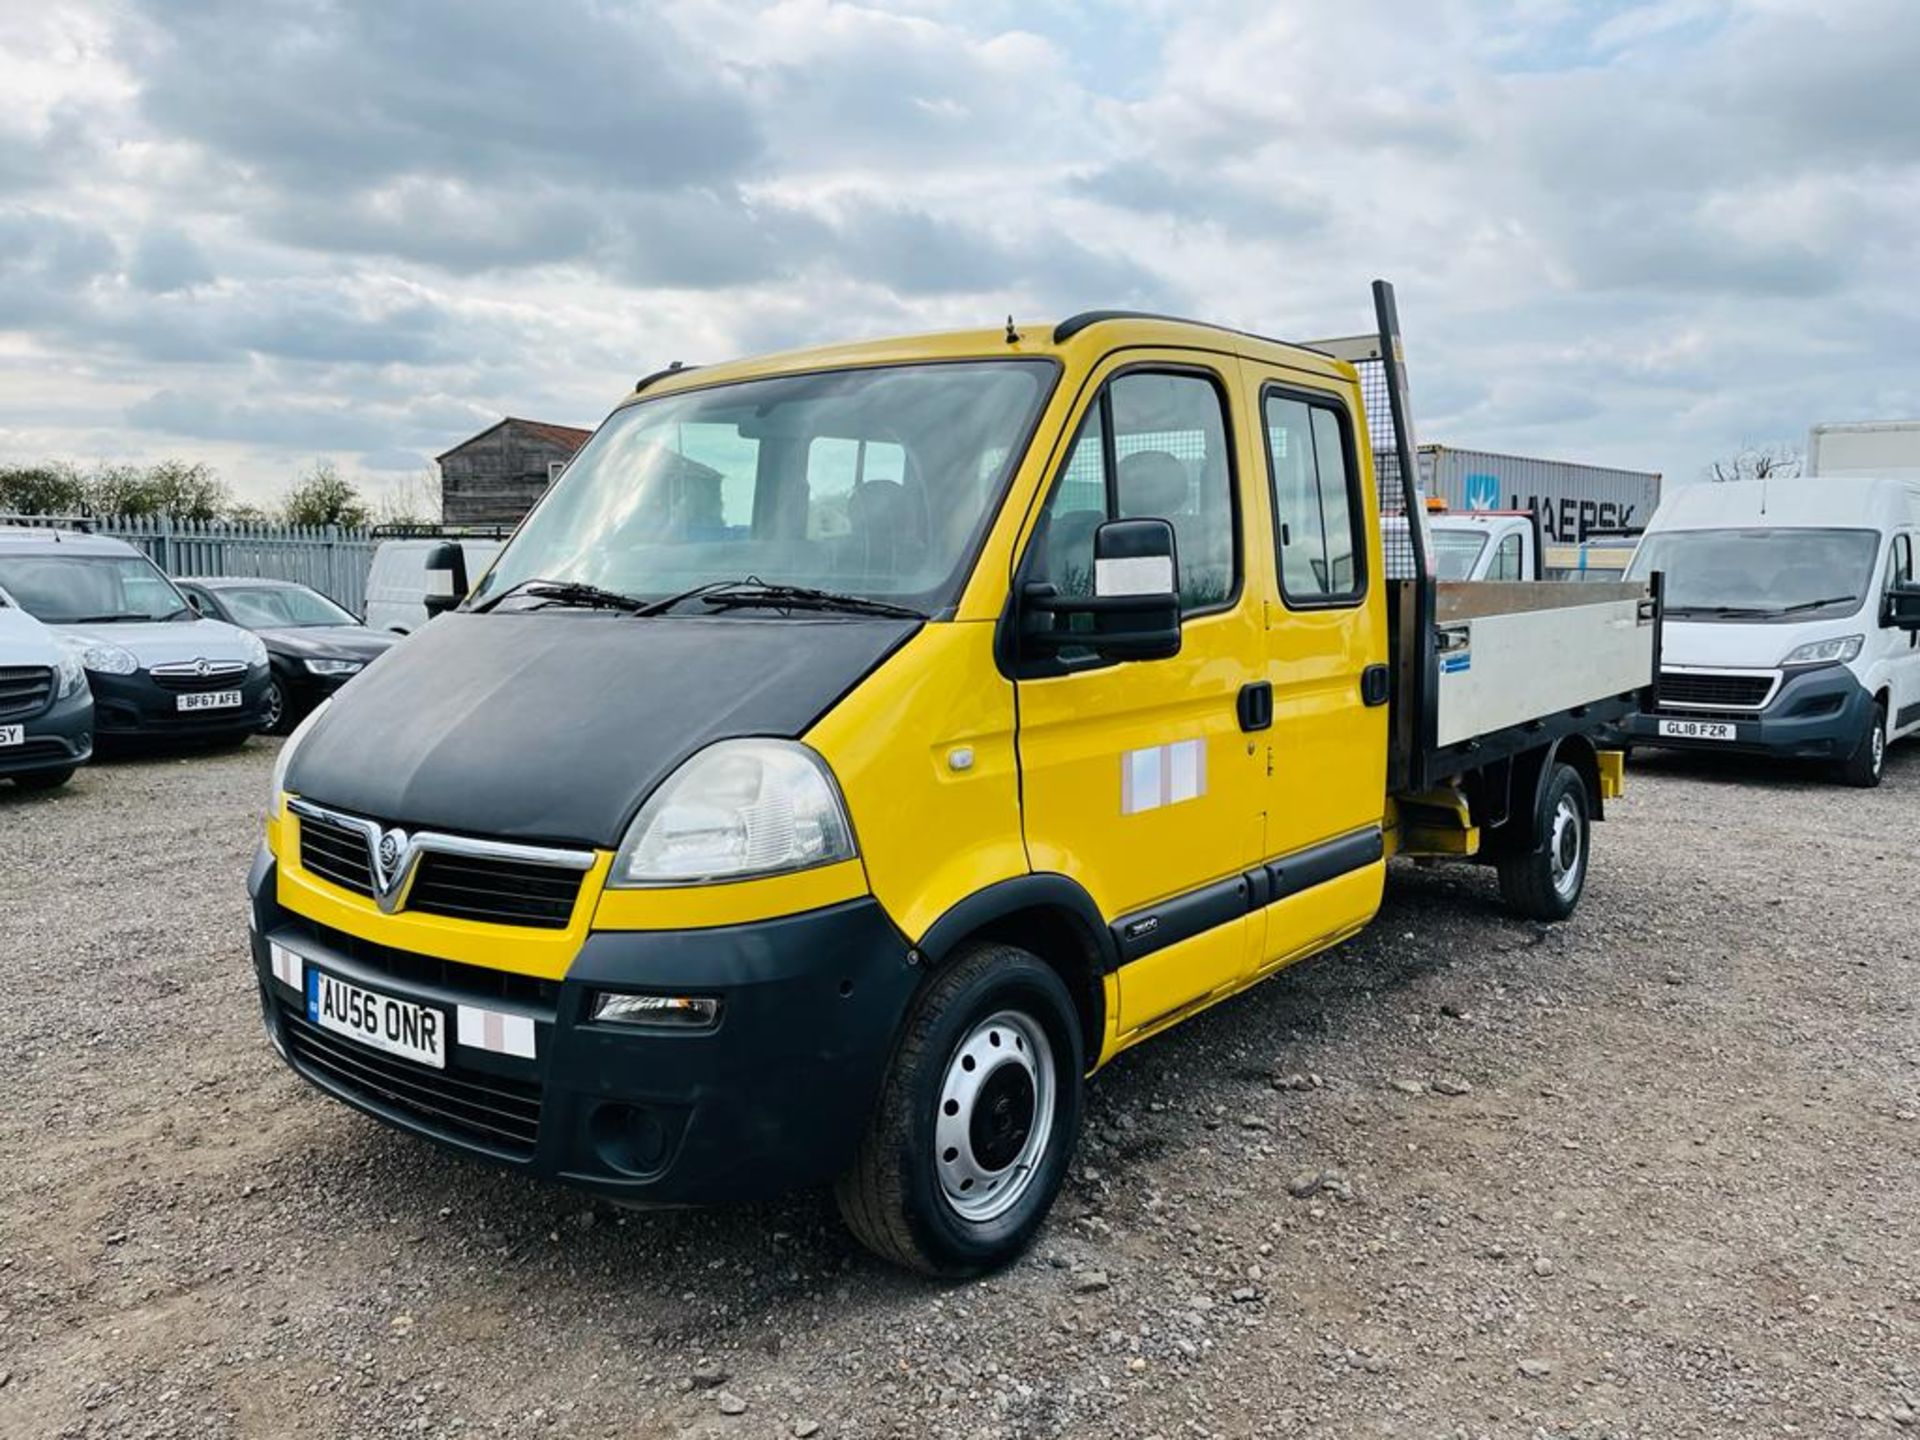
(1138, 779)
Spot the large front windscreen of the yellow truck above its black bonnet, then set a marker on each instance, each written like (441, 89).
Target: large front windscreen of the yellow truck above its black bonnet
(871, 483)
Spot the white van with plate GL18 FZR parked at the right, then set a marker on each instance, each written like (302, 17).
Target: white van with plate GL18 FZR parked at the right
(1788, 627)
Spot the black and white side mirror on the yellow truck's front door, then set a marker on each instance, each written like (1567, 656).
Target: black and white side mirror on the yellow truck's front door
(1136, 602)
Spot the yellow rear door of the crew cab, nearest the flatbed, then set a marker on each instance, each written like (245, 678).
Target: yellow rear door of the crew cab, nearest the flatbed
(1326, 658)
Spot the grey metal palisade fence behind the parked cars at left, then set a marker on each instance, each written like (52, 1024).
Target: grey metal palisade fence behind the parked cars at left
(331, 560)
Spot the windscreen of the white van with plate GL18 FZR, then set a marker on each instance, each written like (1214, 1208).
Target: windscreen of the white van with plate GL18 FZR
(1762, 573)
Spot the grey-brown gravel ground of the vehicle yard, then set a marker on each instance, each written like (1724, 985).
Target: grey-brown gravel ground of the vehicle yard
(1648, 1174)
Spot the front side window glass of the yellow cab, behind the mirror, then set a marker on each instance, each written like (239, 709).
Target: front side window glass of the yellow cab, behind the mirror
(1151, 446)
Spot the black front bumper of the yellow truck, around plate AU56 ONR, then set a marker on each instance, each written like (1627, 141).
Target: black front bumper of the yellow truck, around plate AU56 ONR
(773, 1097)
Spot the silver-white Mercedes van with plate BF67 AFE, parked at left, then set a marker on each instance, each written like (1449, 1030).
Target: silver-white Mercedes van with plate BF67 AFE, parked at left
(156, 667)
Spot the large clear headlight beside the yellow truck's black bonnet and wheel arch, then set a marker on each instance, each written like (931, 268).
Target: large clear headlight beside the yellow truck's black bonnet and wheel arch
(742, 807)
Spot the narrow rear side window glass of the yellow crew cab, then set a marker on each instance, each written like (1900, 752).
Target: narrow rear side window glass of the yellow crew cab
(1316, 502)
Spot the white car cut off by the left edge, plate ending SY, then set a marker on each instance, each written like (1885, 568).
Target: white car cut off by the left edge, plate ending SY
(47, 713)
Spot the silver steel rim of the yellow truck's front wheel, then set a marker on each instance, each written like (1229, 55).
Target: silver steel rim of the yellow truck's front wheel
(996, 1116)
